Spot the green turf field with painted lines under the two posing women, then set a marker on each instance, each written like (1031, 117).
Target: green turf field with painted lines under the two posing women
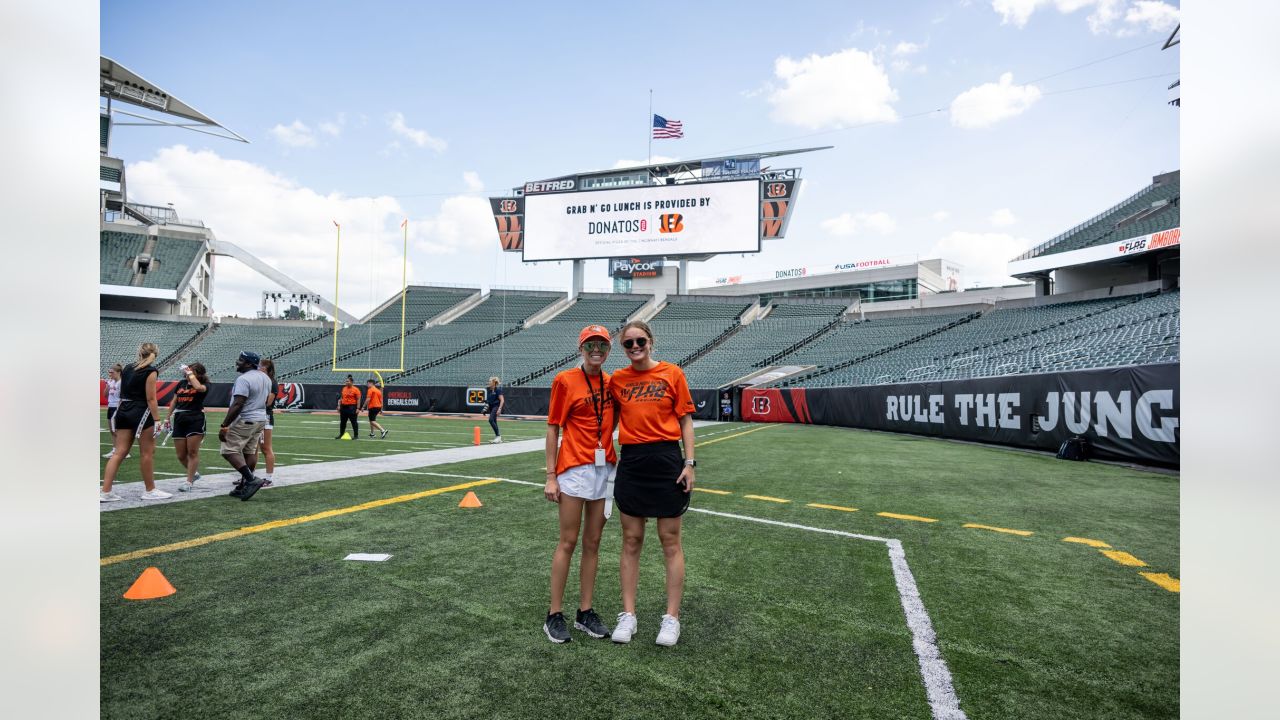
(778, 622)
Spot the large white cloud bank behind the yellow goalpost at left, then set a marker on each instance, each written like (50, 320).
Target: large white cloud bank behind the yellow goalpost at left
(282, 224)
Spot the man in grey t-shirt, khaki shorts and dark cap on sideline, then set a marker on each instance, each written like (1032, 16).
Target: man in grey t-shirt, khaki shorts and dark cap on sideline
(245, 422)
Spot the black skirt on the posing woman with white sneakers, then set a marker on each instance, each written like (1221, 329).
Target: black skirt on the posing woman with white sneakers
(646, 486)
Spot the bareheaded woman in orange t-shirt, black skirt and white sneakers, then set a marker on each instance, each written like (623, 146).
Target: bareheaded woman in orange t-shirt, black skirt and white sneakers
(656, 413)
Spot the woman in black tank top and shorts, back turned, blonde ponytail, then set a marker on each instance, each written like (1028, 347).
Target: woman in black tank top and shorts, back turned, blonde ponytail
(136, 420)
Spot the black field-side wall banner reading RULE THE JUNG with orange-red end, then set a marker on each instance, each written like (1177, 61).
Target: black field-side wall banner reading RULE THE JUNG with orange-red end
(1126, 413)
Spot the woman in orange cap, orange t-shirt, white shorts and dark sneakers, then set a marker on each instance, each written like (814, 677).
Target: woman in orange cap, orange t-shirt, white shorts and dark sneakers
(579, 476)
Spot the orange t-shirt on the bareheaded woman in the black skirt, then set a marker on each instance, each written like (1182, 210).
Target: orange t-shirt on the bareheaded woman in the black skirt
(652, 403)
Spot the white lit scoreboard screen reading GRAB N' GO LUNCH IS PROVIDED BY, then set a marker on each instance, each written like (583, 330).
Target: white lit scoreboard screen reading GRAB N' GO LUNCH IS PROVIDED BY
(662, 221)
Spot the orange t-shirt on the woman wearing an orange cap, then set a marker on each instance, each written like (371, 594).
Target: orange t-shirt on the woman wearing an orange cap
(574, 412)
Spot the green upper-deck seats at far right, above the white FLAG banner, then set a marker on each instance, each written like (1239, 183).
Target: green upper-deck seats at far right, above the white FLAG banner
(1108, 227)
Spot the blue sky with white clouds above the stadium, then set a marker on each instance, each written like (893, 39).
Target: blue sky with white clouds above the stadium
(378, 112)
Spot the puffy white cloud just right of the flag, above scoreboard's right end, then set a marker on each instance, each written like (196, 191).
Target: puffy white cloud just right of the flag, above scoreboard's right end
(830, 92)
